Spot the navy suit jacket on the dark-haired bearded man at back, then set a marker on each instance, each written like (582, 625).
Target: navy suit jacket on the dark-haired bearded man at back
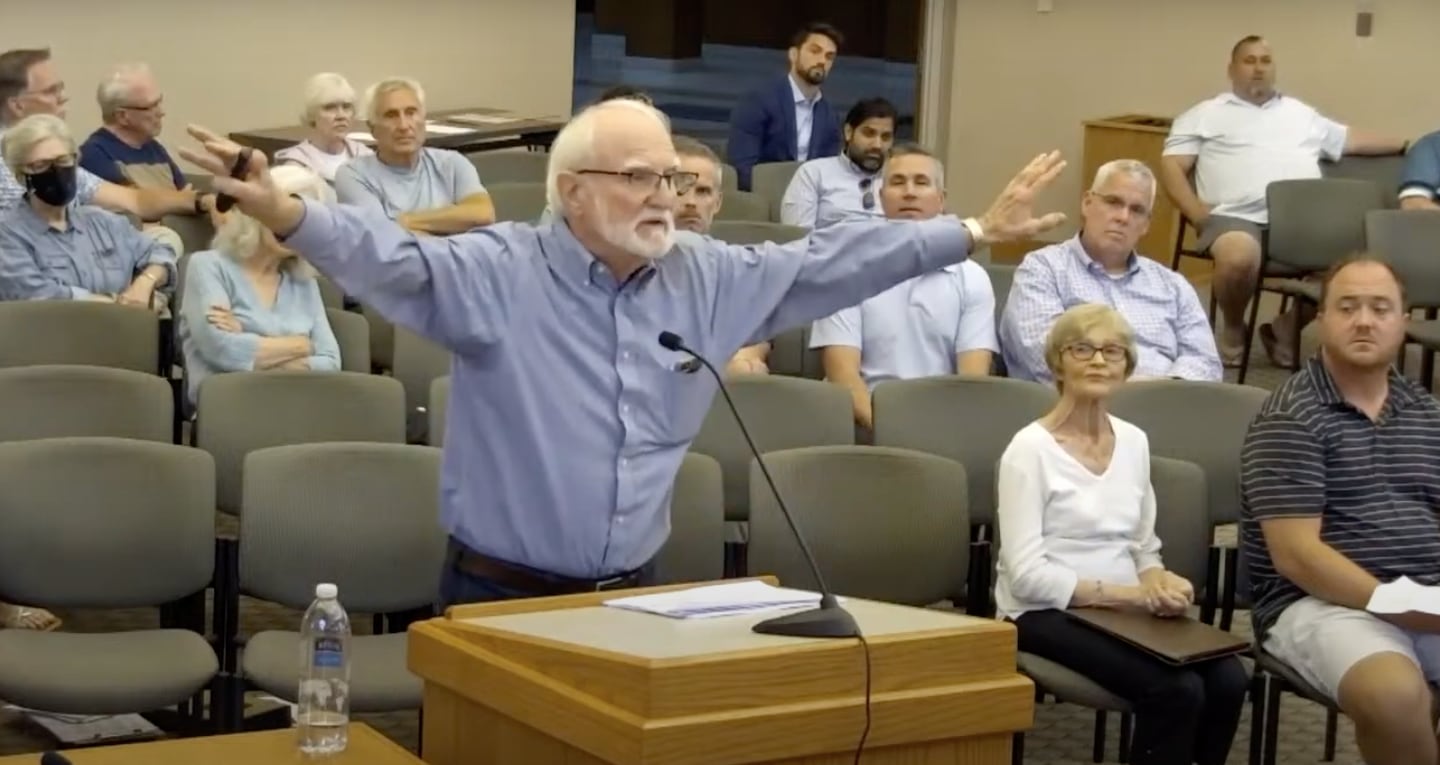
(762, 129)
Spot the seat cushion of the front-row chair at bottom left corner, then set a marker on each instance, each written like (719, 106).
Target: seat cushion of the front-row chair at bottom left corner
(107, 674)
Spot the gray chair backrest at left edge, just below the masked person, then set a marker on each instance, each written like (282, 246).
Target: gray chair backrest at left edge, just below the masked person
(55, 332)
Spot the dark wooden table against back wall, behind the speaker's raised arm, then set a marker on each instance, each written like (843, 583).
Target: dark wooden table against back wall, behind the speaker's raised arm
(523, 132)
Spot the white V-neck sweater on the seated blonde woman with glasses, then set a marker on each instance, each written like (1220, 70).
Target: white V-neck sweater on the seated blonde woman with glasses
(1061, 524)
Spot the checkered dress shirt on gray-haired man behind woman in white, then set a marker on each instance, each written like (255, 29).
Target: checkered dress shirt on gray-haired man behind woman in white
(1171, 331)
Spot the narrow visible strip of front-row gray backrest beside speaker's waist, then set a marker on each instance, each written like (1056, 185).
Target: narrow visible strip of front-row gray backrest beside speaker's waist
(695, 551)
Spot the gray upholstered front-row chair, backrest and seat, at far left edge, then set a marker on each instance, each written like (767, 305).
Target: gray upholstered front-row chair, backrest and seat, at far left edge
(106, 524)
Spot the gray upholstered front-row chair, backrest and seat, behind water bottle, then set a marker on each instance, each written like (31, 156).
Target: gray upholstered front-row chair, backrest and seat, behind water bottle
(361, 516)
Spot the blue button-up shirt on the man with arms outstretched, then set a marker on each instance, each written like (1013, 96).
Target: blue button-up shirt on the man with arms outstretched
(568, 421)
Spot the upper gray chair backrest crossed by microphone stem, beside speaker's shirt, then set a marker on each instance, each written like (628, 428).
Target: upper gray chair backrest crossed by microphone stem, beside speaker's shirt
(781, 414)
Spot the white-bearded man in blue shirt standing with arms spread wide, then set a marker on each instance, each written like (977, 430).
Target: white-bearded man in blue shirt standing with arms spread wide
(568, 421)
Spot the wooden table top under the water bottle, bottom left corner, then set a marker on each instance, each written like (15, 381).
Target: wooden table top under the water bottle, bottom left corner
(368, 747)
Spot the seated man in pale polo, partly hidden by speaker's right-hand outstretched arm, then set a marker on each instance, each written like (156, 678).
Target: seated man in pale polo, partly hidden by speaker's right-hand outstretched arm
(942, 323)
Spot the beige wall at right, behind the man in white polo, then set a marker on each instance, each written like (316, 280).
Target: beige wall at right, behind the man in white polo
(1022, 81)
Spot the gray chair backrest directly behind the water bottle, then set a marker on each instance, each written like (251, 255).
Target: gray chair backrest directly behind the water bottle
(362, 516)
